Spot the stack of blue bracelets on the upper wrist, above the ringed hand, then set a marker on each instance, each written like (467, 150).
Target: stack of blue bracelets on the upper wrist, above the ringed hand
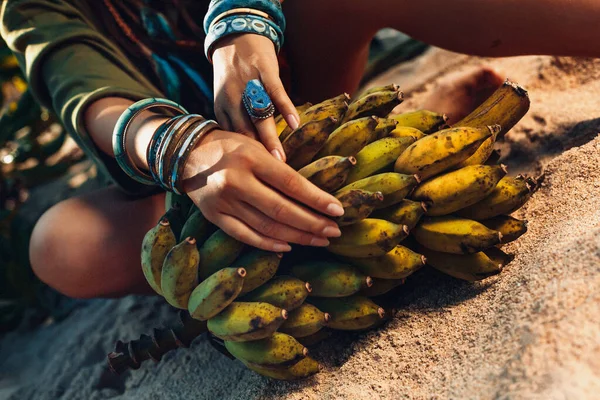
(230, 17)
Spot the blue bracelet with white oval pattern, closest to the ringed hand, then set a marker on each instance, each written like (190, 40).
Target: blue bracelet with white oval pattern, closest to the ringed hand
(236, 24)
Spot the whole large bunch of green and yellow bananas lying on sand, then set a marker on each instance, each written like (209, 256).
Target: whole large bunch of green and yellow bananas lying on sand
(396, 176)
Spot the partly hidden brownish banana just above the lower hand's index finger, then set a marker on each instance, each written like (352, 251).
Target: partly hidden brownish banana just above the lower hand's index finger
(329, 173)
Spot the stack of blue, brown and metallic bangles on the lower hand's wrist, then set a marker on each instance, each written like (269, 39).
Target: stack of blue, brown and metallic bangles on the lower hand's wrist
(170, 145)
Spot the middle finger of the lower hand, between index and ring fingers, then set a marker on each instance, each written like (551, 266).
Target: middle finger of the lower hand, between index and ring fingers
(285, 211)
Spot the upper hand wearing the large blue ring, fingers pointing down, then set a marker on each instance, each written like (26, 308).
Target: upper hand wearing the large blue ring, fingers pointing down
(237, 60)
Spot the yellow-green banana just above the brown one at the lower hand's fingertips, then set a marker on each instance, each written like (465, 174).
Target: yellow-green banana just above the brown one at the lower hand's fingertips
(394, 187)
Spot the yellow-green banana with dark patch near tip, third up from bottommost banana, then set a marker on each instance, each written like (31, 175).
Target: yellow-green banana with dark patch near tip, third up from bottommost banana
(244, 321)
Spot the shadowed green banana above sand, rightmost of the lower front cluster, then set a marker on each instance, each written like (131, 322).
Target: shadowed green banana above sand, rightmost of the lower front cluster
(350, 313)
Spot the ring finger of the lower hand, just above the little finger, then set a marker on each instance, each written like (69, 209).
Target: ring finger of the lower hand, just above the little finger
(276, 230)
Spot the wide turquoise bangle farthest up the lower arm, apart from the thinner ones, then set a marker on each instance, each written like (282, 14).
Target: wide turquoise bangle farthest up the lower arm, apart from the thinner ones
(119, 139)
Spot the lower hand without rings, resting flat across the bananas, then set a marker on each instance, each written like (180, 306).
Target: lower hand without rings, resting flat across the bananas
(255, 198)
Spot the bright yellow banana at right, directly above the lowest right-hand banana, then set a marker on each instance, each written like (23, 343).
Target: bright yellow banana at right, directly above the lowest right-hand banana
(455, 235)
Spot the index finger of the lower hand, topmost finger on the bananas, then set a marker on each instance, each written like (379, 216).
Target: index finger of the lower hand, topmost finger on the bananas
(283, 178)
